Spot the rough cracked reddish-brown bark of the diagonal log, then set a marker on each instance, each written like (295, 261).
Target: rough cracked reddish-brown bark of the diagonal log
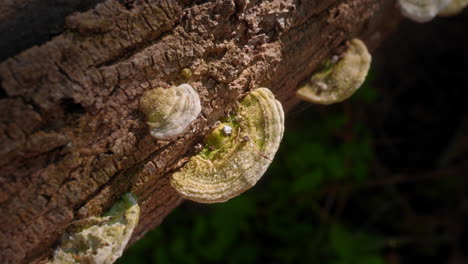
(72, 138)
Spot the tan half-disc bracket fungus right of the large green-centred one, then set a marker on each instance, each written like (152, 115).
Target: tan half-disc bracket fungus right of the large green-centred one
(338, 78)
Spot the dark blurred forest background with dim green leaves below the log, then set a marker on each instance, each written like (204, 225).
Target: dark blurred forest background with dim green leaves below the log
(380, 178)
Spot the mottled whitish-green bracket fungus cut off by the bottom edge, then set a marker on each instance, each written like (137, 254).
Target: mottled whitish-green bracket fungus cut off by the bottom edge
(99, 240)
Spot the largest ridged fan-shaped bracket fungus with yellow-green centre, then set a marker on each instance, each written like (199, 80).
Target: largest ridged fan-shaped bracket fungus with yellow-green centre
(236, 153)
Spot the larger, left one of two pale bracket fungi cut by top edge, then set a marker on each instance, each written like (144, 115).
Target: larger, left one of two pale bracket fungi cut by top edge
(422, 10)
